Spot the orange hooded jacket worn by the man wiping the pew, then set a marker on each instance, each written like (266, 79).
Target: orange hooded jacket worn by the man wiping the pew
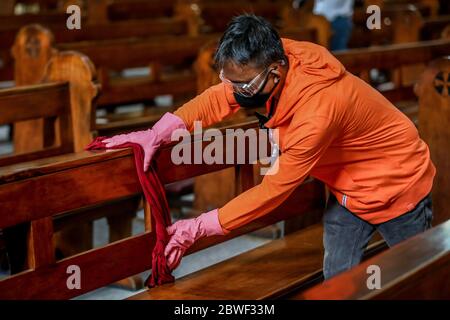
(336, 128)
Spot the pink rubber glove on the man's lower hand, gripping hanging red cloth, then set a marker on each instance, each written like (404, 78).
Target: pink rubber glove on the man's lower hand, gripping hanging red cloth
(185, 232)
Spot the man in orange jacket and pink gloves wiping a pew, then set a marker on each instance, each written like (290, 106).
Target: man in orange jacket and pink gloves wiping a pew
(332, 126)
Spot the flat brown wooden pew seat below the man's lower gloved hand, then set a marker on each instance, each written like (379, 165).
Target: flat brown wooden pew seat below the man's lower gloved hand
(271, 271)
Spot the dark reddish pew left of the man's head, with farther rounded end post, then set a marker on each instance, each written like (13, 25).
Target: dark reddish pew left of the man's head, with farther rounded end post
(34, 47)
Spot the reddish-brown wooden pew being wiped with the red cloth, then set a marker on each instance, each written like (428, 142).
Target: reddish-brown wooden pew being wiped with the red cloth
(91, 171)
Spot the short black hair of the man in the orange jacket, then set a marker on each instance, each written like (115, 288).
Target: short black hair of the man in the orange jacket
(249, 40)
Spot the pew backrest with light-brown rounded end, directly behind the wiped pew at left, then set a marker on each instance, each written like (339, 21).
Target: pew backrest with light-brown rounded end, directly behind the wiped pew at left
(55, 113)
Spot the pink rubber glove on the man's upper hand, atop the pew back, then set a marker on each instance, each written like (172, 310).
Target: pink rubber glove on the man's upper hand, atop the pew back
(150, 139)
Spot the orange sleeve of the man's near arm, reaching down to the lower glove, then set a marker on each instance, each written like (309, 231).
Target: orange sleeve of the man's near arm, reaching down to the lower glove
(306, 142)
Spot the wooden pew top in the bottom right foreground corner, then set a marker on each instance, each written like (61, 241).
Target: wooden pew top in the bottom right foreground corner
(416, 269)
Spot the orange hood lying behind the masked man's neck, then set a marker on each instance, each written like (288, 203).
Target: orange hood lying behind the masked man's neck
(311, 68)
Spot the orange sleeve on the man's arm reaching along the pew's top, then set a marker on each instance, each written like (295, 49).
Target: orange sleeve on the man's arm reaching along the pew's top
(210, 107)
